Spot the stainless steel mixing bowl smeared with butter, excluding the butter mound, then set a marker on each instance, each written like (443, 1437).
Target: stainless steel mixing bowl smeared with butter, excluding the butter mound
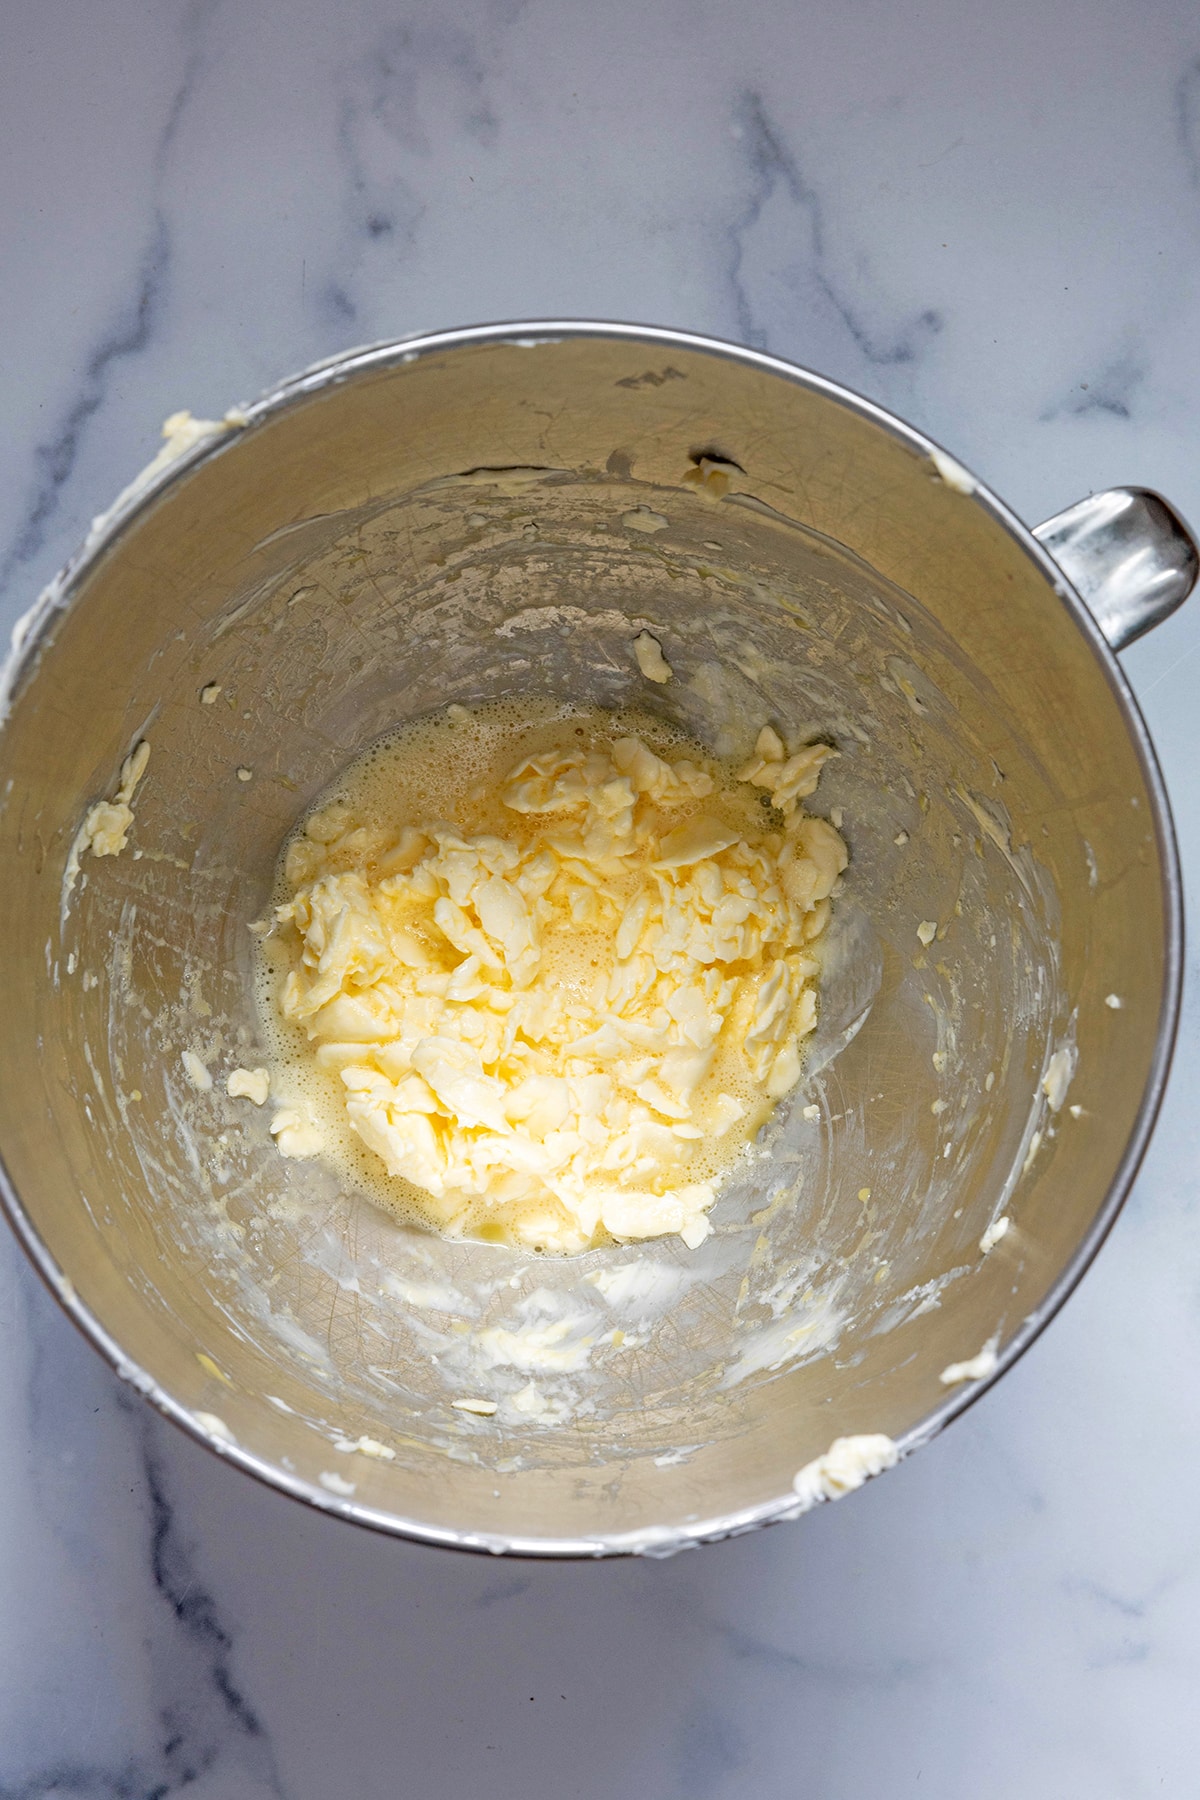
(501, 512)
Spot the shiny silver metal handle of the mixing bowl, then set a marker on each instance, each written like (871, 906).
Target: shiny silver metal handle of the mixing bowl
(1129, 557)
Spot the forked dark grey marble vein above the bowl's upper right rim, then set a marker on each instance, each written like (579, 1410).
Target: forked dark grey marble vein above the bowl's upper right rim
(771, 166)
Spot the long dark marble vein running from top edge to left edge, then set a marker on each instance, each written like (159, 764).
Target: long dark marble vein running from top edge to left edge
(132, 330)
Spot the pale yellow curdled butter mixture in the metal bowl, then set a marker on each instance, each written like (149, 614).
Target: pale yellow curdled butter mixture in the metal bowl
(541, 973)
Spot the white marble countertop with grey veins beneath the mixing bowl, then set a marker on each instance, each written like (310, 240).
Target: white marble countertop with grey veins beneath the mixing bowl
(990, 222)
